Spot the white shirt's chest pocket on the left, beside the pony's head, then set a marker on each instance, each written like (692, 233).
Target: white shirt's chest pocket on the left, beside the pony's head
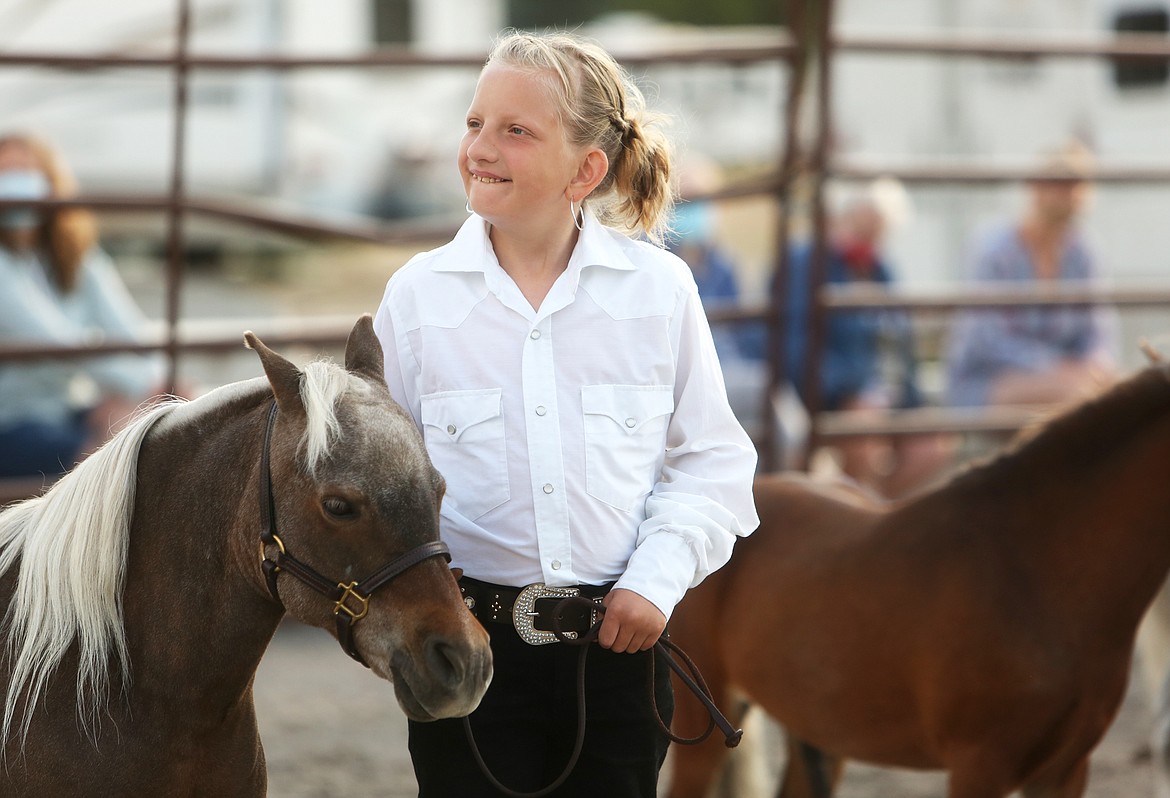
(465, 436)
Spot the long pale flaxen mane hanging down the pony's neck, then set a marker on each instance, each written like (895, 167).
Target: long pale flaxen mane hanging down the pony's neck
(72, 545)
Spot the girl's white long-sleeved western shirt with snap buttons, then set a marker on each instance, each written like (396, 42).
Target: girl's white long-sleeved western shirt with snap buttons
(584, 443)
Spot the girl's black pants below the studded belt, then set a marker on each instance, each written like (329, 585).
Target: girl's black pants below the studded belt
(526, 726)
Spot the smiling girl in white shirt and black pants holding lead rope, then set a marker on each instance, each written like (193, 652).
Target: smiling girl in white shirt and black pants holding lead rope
(565, 379)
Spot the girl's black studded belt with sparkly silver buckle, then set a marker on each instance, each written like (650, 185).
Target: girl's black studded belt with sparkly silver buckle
(533, 611)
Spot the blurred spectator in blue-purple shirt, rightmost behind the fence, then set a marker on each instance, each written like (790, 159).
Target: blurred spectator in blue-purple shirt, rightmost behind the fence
(1026, 356)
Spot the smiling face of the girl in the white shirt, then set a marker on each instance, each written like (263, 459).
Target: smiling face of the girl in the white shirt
(515, 159)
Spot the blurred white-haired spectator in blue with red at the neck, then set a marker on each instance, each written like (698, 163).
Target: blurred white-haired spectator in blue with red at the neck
(861, 347)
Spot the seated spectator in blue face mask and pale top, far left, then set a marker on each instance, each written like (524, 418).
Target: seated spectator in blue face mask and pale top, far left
(58, 287)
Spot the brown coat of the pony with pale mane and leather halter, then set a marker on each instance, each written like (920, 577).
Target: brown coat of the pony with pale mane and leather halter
(196, 611)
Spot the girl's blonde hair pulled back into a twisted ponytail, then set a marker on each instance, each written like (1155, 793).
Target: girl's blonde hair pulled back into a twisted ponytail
(601, 107)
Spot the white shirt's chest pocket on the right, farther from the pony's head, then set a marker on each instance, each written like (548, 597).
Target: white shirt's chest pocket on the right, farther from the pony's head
(625, 441)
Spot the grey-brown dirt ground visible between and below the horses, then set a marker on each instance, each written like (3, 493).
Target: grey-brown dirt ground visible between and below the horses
(333, 731)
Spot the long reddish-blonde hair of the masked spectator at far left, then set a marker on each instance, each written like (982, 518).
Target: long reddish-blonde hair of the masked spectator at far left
(65, 235)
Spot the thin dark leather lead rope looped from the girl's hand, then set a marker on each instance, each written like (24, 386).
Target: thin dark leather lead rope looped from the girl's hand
(664, 648)
